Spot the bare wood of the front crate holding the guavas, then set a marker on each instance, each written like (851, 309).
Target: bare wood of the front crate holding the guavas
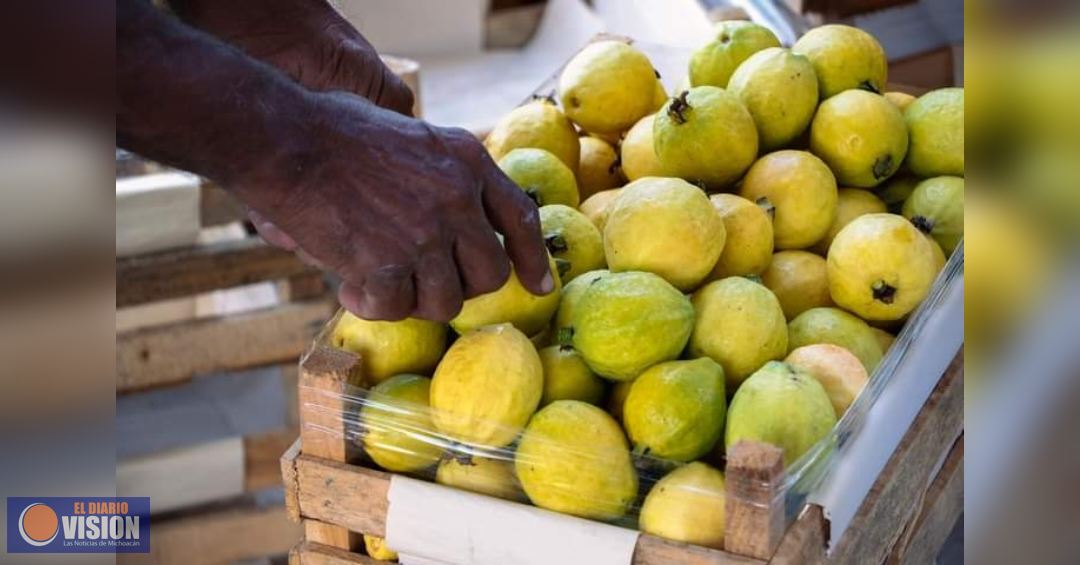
(904, 518)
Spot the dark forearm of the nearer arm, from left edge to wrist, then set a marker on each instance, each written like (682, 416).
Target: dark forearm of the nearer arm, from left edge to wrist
(191, 101)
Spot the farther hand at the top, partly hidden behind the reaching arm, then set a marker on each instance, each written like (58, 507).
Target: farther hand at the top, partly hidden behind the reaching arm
(306, 39)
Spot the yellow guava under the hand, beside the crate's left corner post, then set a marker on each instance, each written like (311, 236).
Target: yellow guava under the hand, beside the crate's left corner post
(390, 348)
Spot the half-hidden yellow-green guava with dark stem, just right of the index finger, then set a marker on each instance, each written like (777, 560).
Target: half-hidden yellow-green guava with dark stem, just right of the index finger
(572, 240)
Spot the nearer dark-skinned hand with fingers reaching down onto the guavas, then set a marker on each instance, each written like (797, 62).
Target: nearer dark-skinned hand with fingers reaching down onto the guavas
(406, 212)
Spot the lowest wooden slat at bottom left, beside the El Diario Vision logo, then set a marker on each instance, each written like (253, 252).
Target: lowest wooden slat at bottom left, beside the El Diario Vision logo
(220, 537)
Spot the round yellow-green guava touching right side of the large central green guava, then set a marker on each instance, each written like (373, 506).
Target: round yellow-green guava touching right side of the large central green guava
(740, 326)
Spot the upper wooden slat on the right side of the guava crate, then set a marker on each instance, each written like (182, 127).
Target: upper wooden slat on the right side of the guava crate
(893, 502)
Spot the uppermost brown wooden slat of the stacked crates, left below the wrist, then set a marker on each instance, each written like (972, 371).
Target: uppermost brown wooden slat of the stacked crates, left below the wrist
(202, 268)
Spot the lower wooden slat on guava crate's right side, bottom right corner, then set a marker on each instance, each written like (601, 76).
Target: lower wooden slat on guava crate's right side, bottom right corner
(941, 508)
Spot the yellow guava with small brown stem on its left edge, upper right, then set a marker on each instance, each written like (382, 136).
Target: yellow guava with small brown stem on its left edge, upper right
(800, 190)
